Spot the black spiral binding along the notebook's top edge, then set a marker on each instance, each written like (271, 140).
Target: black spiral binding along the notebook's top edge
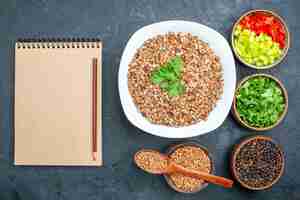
(46, 43)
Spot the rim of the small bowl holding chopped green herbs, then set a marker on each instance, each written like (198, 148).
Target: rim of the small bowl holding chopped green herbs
(237, 115)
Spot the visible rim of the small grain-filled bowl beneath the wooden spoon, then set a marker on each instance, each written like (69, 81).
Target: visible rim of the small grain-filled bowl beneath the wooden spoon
(171, 149)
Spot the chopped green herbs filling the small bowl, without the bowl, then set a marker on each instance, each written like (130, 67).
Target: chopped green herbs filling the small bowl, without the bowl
(260, 102)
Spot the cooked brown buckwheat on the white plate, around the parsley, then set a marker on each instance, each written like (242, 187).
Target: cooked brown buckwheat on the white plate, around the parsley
(201, 75)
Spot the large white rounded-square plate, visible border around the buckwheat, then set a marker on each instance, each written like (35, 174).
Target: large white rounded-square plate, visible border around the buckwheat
(220, 47)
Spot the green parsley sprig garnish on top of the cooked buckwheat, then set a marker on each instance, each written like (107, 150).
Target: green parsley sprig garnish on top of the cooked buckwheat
(168, 77)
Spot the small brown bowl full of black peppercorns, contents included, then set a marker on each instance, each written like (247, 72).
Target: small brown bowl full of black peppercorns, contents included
(257, 162)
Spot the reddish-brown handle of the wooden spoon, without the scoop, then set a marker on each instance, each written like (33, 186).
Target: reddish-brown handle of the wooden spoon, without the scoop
(227, 183)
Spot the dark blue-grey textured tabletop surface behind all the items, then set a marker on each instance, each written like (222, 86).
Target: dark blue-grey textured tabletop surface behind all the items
(114, 21)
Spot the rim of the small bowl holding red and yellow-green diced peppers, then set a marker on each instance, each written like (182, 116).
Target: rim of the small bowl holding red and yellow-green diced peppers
(287, 39)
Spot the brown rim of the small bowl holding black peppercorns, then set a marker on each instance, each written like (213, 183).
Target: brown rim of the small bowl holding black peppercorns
(237, 149)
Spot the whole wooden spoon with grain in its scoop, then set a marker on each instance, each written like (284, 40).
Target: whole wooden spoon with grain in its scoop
(154, 162)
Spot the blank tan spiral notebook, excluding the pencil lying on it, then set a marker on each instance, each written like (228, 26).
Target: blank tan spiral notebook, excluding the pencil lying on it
(53, 103)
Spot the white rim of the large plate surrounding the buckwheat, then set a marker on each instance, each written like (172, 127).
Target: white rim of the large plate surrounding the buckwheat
(224, 103)
